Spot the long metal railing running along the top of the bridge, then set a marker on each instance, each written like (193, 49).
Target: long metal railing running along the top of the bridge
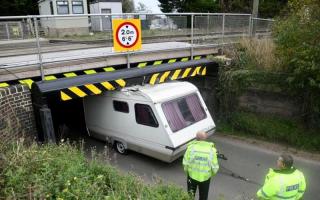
(40, 35)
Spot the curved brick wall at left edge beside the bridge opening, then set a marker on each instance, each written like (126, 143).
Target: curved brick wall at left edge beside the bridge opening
(16, 114)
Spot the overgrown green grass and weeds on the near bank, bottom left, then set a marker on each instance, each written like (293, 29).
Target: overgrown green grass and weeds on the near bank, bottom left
(63, 172)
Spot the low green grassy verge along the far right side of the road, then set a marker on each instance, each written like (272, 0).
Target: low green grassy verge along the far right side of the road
(272, 128)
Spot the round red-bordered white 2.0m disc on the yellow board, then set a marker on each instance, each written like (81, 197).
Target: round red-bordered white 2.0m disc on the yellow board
(124, 32)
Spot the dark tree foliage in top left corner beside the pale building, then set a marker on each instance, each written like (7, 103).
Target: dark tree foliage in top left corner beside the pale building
(19, 7)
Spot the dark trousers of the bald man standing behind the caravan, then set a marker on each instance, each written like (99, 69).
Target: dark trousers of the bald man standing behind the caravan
(203, 188)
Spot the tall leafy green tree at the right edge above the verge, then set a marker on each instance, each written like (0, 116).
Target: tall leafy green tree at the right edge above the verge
(298, 47)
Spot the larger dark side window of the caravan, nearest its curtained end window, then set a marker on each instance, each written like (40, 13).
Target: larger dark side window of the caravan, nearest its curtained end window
(145, 115)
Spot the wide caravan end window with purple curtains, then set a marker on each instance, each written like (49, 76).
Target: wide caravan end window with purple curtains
(183, 112)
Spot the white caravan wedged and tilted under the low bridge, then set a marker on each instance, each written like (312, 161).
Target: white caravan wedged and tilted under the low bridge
(155, 120)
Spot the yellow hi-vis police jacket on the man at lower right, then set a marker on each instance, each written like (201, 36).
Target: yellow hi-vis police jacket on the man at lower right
(279, 184)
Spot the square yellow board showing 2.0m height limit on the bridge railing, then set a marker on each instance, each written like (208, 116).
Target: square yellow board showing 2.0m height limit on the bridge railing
(126, 34)
